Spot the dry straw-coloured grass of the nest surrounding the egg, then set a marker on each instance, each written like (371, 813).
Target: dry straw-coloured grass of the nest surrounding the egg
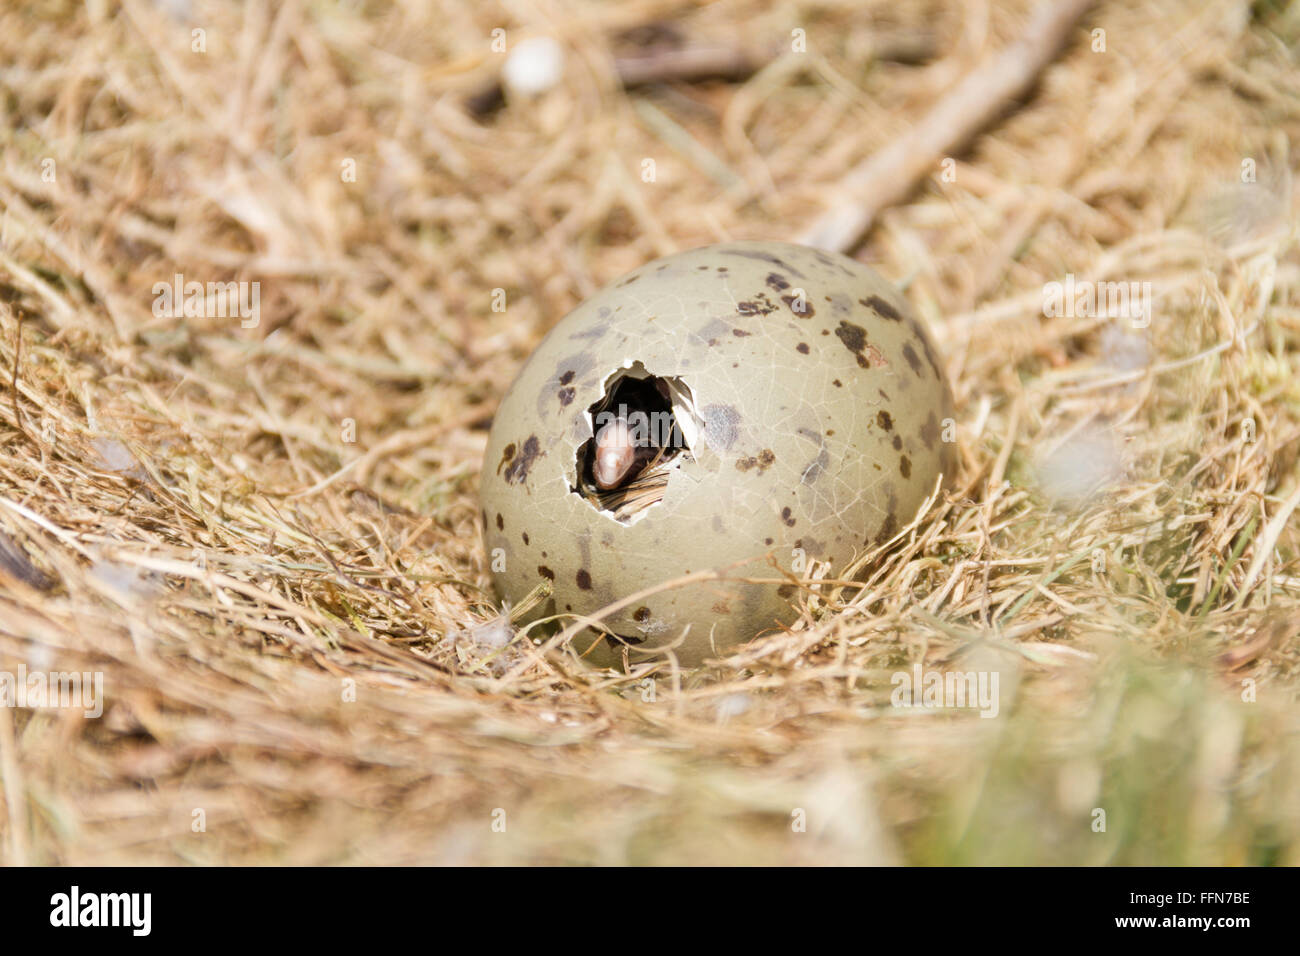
(296, 630)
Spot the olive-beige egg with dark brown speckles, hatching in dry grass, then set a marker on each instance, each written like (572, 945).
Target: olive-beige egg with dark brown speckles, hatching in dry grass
(777, 408)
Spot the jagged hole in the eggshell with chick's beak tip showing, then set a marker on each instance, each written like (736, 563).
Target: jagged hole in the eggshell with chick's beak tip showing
(652, 423)
